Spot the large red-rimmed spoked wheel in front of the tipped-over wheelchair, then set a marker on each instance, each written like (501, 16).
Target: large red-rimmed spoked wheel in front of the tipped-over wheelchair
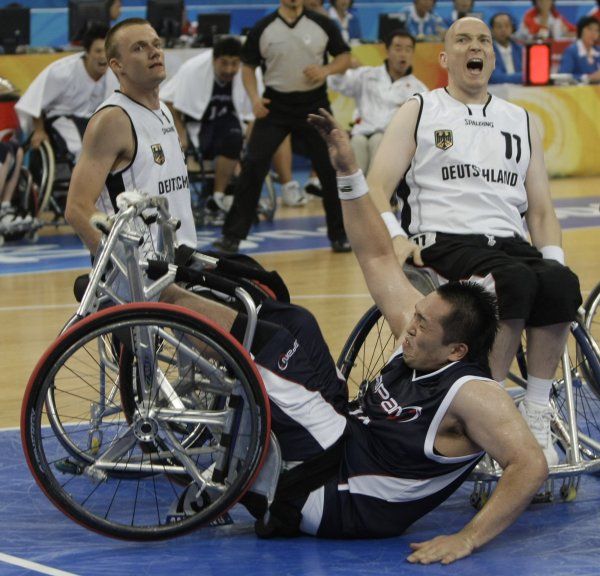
(155, 432)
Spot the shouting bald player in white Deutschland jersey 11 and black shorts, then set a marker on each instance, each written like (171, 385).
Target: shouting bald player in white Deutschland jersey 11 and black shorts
(468, 167)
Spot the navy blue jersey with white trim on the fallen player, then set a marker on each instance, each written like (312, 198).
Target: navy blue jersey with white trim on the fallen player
(391, 475)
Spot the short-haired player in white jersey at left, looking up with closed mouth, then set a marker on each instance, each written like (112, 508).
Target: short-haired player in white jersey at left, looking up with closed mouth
(131, 141)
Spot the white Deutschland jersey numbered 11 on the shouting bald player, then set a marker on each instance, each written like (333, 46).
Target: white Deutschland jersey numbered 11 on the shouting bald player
(468, 172)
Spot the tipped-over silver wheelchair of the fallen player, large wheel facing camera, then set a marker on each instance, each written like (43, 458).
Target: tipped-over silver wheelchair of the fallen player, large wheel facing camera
(145, 420)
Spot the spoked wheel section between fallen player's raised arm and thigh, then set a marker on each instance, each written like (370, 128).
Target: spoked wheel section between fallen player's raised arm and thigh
(367, 349)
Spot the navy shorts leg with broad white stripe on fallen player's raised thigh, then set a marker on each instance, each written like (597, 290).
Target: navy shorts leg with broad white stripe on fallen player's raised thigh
(307, 395)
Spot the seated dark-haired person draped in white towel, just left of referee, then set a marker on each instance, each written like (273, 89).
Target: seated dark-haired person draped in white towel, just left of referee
(207, 91)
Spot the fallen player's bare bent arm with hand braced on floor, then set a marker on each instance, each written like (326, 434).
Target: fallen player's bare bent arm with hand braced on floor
(491, 421)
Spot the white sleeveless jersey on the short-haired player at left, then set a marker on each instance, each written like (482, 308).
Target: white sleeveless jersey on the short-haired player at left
(158, 166)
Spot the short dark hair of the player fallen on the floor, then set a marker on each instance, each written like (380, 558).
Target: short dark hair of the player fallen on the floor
(473, 320)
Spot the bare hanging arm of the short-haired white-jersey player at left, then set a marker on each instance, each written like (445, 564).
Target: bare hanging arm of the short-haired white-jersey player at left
(107, 144)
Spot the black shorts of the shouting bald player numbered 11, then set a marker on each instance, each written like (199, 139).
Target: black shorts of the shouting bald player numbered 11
(541, 292)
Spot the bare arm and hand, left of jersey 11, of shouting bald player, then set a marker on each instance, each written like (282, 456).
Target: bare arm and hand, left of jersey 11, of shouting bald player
(391, 161)
